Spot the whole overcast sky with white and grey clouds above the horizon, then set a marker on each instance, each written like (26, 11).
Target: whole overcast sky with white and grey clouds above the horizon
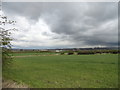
(44, 25)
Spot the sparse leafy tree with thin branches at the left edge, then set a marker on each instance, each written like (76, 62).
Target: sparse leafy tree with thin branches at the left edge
(5, 35)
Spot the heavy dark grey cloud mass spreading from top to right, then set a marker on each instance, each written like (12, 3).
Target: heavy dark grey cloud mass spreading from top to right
(76, 20)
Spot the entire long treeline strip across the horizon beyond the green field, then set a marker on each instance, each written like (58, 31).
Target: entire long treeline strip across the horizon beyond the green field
(71, 52)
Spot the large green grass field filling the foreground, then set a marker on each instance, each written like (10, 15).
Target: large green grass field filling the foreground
(65, 71)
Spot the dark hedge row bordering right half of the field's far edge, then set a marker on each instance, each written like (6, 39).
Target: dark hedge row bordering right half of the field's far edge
(87, 52)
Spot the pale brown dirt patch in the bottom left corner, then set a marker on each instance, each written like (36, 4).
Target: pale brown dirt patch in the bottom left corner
(12, 84)
